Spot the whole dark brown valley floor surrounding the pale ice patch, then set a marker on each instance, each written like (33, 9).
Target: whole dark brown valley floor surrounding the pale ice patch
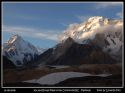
(16, 78)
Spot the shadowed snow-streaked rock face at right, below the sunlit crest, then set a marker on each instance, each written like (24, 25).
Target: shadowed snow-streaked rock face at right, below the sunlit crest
(109, 44)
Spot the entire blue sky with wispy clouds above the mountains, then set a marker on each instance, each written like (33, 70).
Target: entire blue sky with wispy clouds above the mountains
(42, 23)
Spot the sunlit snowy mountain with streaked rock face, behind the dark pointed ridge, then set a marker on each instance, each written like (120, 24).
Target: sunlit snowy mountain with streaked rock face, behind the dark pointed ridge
(104, 32)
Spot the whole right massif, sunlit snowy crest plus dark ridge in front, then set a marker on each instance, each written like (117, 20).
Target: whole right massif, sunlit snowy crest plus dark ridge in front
(95, 41)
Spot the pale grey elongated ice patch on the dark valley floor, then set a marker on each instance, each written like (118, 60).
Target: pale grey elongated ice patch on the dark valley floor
(55, 78)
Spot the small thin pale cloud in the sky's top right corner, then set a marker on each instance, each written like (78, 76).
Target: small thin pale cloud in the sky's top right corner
(108, 4)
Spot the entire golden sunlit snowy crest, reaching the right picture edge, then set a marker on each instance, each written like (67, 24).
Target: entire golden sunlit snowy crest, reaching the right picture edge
(89, 28)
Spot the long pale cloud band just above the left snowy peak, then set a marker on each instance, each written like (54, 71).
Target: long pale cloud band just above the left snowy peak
(32, 32)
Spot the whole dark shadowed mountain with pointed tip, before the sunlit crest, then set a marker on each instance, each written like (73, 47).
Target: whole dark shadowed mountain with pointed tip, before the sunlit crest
(72, 53)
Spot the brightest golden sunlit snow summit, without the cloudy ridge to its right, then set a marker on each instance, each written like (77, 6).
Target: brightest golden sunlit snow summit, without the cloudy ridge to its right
(76, 31)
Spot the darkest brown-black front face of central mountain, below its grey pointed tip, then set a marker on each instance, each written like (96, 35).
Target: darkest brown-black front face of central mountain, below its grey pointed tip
(83, 54)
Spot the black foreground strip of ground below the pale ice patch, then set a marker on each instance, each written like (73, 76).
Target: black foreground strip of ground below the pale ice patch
(89, 81)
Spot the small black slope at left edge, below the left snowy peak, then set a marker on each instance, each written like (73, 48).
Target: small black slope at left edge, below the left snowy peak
(7, 63)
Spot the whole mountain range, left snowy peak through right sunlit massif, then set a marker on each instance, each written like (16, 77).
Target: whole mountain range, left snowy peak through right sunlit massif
(97, 40)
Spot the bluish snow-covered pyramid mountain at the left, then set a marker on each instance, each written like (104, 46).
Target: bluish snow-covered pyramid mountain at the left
(18, 50)
